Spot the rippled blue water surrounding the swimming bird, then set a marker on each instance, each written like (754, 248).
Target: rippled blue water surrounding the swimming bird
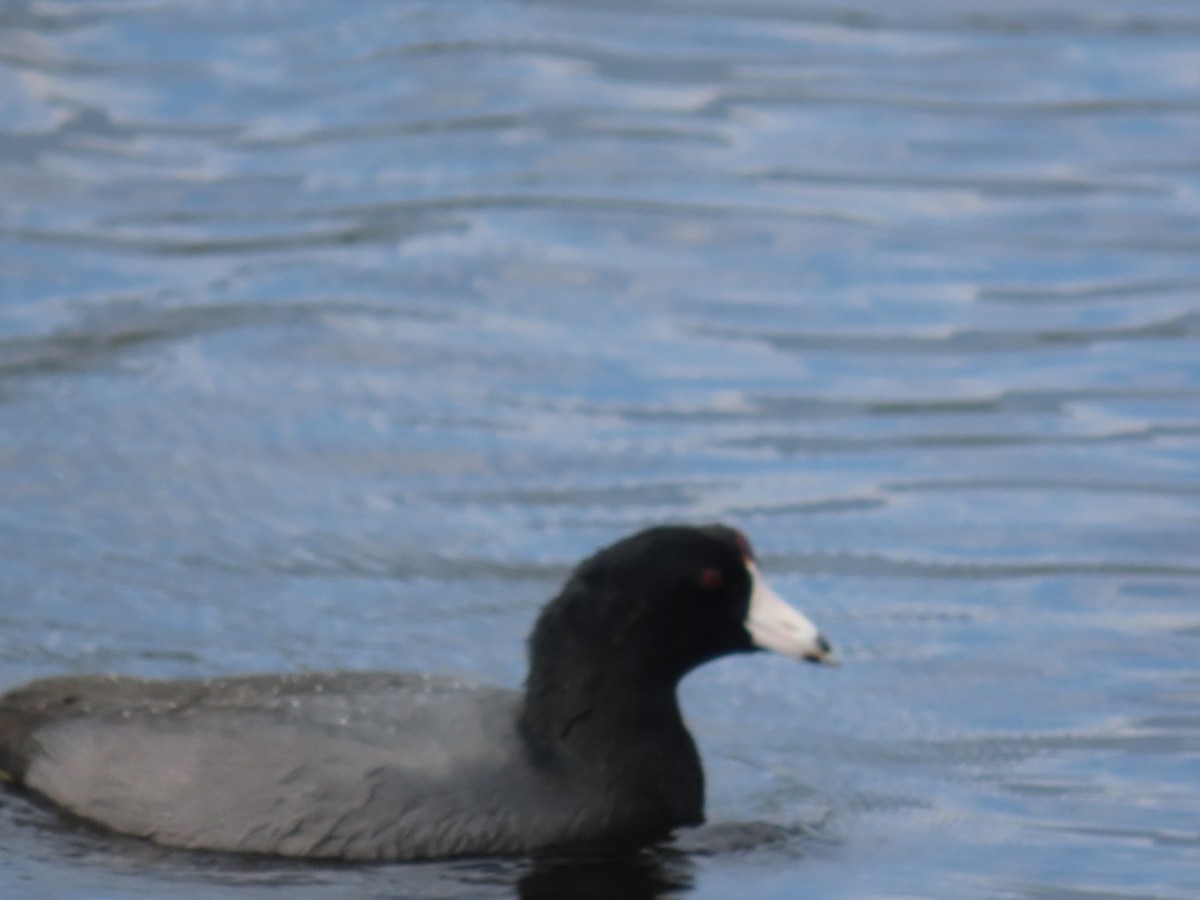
(333, 334)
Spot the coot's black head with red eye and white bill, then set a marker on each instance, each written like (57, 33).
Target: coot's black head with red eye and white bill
(663, 602)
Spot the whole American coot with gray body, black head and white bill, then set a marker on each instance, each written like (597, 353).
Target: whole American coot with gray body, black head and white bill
(382, 766)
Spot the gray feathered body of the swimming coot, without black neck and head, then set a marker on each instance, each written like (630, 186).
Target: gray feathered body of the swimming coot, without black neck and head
(351, 766)
